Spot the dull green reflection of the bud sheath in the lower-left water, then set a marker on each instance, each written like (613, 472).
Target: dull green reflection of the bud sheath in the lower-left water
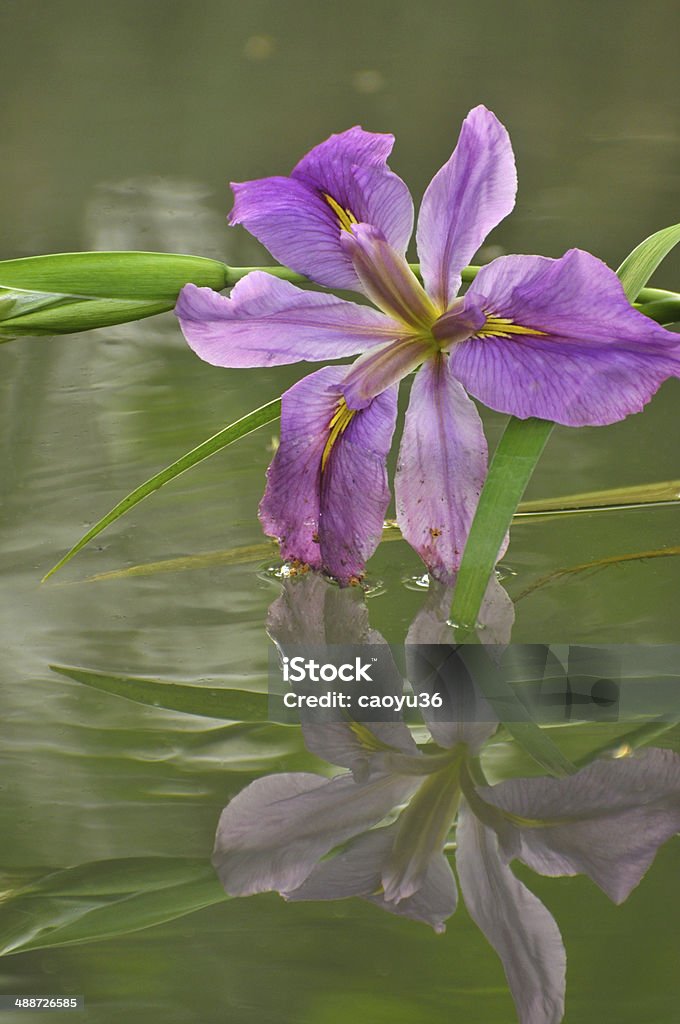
(104, 900)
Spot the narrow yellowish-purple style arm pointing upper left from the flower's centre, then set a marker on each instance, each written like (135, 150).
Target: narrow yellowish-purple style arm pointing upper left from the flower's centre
(388, 279)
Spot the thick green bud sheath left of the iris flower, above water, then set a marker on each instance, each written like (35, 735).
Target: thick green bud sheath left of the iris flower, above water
(70, 292)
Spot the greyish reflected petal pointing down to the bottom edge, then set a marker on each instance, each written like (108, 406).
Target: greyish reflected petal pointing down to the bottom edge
(516, 923)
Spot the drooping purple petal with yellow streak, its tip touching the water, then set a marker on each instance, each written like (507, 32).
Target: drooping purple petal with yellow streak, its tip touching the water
(327, 492)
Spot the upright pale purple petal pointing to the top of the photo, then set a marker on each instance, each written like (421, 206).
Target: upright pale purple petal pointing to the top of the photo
(467, 198)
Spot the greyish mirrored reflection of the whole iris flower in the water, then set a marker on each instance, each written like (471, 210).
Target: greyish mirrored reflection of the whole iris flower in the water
(381, 830)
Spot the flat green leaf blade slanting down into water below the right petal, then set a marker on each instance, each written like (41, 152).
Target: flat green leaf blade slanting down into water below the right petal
(513, 465)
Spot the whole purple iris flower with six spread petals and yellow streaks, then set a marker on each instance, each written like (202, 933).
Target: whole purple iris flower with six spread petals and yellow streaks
(532, 337)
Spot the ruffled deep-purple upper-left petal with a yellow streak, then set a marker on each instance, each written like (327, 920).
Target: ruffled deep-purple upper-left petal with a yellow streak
(343, 182)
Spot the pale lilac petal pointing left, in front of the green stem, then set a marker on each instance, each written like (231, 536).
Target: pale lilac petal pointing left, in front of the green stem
(267, 322)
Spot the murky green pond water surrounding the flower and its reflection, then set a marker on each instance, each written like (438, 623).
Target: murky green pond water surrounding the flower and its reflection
(123, 124)
